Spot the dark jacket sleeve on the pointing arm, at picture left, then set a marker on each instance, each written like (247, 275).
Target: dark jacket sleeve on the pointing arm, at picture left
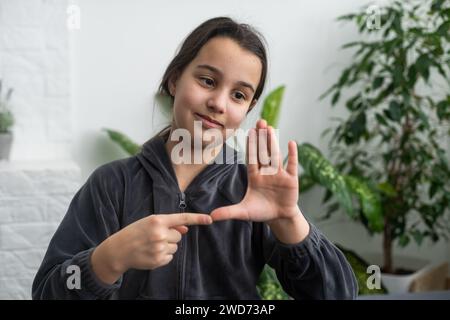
(92, 216)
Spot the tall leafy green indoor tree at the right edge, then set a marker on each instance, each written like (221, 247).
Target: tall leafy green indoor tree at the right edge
(396, 93)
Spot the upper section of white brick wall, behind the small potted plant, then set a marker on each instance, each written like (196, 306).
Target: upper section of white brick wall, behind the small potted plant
(34, 60)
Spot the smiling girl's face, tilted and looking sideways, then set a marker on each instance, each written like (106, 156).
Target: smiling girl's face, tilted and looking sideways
(218, 84)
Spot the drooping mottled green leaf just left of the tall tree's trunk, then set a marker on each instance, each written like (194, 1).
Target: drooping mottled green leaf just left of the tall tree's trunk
(369, 200)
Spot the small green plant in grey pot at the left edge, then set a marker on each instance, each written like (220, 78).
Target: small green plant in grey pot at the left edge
(6, 122)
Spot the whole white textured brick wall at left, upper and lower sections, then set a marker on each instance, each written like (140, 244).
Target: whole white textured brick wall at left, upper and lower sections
(36, 186)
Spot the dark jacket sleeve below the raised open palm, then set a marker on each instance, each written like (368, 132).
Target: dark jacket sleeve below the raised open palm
(311, 269)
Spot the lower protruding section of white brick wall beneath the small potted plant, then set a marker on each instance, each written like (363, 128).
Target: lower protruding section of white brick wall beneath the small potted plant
(33, 199)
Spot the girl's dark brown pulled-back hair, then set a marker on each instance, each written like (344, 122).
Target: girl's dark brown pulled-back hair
(244, 35)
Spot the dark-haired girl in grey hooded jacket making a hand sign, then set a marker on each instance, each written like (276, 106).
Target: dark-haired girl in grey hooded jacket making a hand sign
(148, 227)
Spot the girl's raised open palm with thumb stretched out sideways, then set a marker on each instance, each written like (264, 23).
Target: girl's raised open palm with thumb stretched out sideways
(272, 191)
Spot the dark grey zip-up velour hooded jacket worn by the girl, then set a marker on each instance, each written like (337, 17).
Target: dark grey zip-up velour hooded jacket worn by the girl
(219, 261)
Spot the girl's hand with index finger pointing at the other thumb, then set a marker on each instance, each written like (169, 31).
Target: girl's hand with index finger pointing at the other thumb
(146, 244)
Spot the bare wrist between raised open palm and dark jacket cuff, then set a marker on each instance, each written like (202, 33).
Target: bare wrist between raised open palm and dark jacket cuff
(290, 230)
